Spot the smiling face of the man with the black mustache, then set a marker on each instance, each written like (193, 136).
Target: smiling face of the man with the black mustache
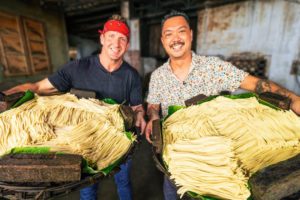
(177, 37)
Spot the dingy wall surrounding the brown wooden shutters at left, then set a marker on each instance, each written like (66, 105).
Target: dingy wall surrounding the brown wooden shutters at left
(55, 33)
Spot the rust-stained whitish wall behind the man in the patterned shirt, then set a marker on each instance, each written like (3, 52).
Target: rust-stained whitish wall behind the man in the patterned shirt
(270, 28)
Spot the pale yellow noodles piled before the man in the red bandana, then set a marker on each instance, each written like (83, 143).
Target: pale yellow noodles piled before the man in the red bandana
(64, 123)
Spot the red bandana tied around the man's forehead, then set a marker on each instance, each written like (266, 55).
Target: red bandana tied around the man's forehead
(116, 25)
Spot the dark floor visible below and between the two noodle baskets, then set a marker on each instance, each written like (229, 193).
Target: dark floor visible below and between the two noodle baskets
(146, 179)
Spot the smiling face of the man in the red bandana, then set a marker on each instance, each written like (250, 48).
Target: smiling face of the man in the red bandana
(114, 45)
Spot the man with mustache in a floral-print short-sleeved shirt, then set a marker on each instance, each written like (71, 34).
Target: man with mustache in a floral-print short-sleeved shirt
(186, 75)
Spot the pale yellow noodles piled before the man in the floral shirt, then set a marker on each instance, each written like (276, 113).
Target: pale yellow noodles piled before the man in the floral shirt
(213, 148)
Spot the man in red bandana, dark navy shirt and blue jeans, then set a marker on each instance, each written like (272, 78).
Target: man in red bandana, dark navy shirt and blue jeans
(109, 76)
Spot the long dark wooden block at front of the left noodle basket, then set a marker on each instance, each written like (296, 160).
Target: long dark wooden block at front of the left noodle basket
(40, 168)
